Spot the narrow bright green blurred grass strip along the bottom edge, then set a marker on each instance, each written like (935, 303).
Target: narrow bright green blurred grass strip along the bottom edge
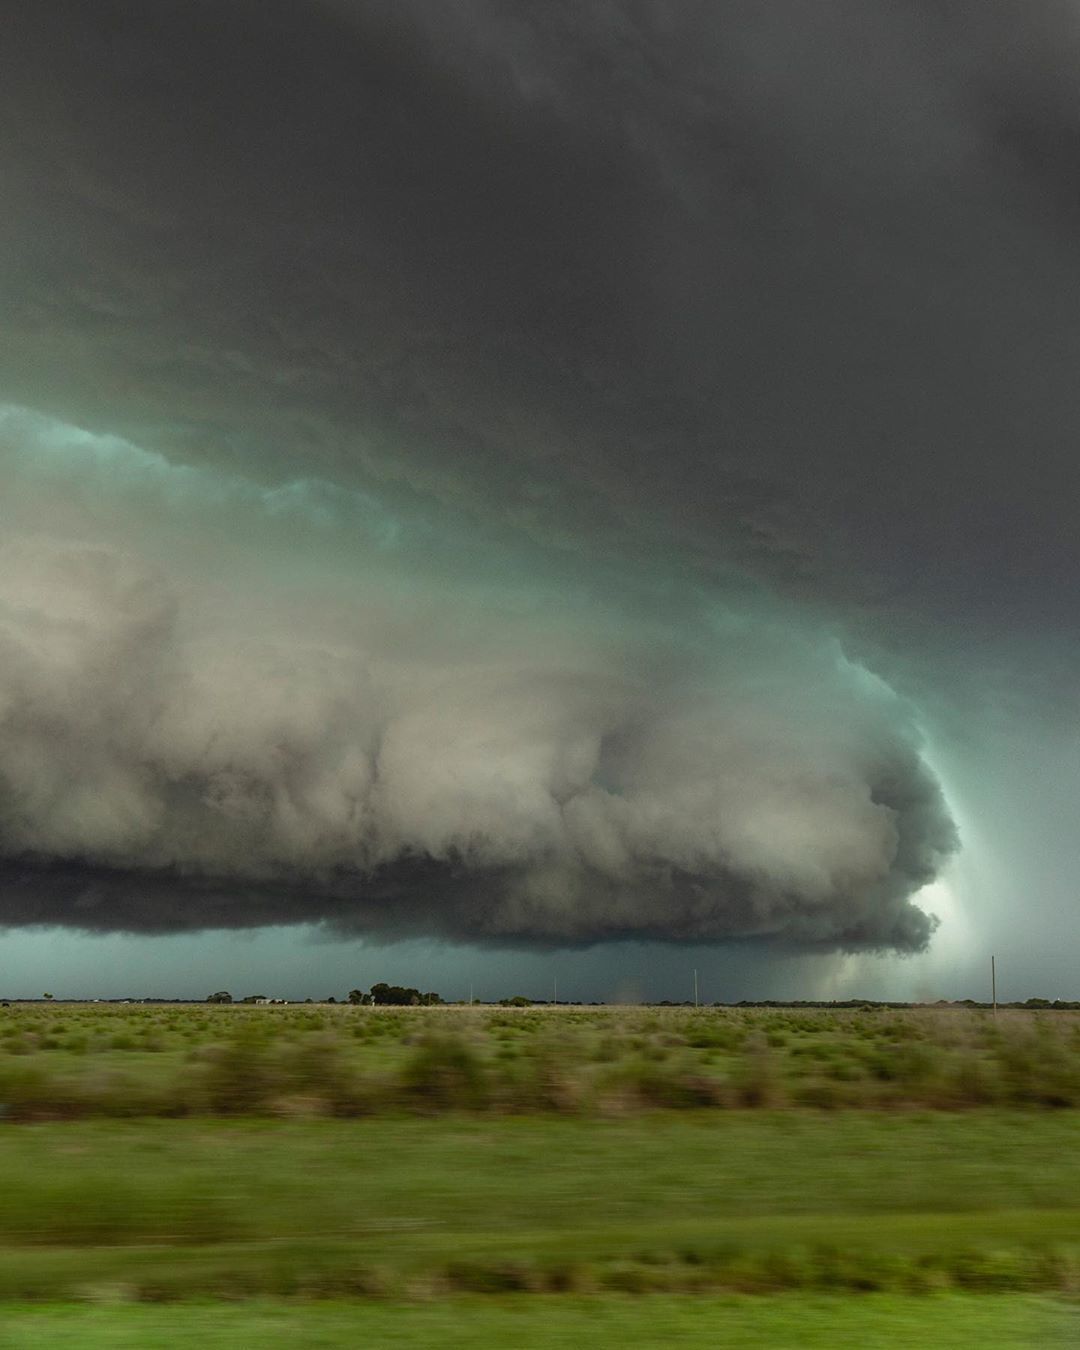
(873, 1322)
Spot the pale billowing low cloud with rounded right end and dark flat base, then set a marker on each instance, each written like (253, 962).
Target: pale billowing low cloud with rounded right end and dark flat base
(344, 734)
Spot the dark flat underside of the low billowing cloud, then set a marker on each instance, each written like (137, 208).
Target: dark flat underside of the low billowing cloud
(456, 901)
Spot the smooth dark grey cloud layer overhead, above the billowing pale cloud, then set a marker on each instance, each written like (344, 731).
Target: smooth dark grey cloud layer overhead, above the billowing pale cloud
(747, 276)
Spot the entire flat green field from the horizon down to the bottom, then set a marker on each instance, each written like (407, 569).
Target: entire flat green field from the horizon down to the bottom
(450, 1170)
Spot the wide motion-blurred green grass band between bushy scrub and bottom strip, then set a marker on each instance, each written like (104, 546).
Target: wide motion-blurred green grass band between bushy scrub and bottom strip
(754, 1202)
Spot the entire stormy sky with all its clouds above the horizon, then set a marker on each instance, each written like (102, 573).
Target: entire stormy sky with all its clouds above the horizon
(593, 479)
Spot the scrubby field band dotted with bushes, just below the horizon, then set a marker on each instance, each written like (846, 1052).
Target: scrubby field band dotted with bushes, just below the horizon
(97, 1060)
